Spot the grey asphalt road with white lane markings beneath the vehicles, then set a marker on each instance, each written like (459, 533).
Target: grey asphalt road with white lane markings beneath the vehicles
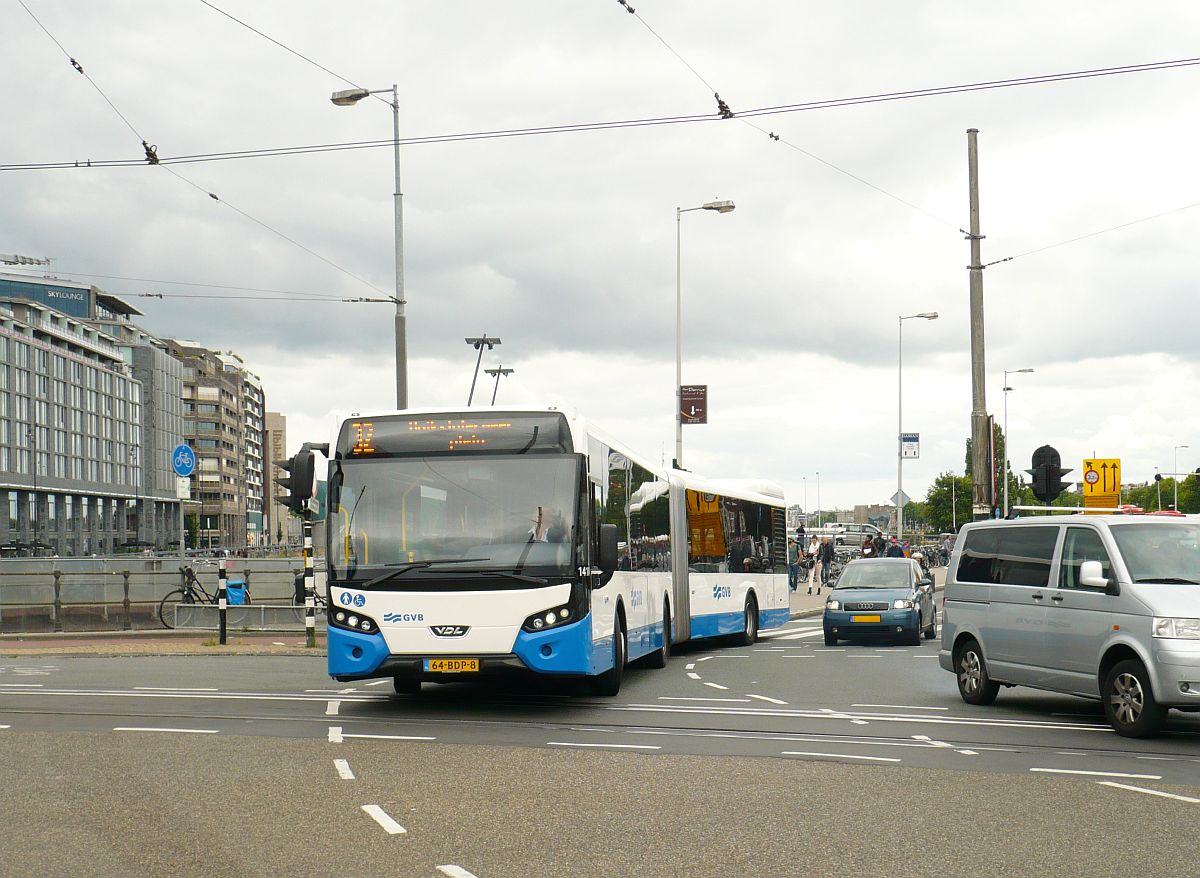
(784, 759)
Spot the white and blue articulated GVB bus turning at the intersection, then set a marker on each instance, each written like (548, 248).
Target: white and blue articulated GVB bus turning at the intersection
(466, 544)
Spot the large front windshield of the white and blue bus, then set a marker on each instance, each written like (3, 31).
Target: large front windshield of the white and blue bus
(514, 514)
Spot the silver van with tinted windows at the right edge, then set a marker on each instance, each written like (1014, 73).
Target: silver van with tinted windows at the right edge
(1096, 606)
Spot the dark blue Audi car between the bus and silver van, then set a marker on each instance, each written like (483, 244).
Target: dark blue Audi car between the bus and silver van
(884, 598)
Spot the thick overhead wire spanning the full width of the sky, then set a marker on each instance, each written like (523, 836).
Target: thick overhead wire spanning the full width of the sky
(578, 128)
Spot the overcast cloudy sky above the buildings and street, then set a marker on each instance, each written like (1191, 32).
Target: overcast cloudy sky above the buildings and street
(565, 245)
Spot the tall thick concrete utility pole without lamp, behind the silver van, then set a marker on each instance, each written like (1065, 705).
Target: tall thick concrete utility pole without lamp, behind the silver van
(981, 442)
